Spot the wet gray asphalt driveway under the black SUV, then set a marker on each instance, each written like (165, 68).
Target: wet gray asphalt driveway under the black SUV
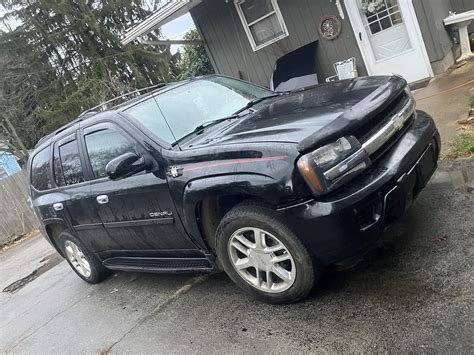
(415, 293)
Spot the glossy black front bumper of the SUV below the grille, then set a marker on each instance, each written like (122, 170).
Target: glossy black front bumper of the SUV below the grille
(346, 223)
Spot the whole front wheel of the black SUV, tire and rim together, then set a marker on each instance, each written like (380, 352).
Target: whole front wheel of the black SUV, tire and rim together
(258, 275)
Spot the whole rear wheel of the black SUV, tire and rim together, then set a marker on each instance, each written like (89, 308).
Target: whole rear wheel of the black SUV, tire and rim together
(84, 263)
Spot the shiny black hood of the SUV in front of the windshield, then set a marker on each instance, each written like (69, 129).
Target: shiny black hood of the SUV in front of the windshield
(307, 117)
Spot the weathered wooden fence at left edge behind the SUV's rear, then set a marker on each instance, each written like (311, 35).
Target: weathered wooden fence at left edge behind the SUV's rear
(16, 215)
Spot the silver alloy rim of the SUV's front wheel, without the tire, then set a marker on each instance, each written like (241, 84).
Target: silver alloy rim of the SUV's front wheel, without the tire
(262, 260)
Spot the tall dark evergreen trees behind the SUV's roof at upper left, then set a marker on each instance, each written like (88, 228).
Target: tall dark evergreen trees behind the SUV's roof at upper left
(66, 56)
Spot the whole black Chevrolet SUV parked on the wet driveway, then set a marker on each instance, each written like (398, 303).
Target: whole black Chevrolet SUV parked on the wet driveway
(215, 172)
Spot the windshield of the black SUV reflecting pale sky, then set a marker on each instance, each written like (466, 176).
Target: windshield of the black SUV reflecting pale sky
(173, 114)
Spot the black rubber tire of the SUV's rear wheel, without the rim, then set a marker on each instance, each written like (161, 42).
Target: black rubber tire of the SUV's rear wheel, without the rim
(98, 271)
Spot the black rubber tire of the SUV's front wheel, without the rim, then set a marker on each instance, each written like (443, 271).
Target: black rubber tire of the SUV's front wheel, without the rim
(264, 218)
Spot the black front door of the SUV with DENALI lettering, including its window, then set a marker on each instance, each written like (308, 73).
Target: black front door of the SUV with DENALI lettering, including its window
(138, 212)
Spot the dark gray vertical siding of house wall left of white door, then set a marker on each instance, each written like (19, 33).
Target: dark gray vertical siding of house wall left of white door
(231, 53)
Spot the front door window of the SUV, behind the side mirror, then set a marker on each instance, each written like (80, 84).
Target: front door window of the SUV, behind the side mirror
(103, 146)
